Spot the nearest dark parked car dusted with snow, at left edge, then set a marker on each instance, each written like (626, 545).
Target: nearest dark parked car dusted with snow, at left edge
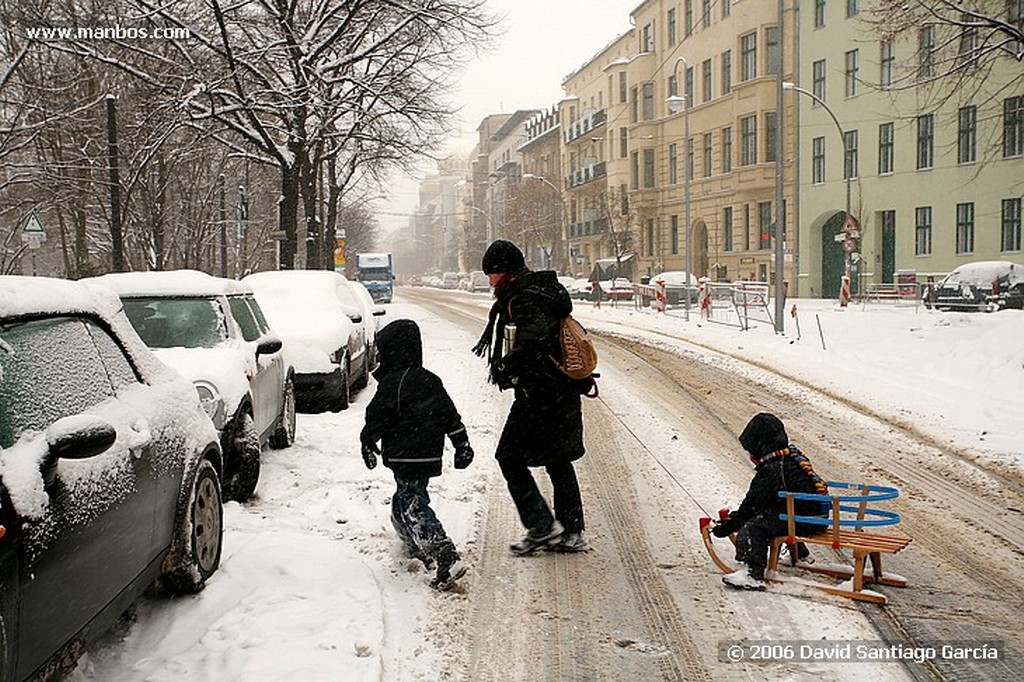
(109, 475)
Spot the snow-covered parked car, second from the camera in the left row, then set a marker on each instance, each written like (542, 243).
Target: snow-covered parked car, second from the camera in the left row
(214, 332)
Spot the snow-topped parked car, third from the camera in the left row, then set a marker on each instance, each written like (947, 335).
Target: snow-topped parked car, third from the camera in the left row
(325, 338)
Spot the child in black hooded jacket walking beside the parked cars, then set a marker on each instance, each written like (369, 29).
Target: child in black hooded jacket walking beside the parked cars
(411, 413)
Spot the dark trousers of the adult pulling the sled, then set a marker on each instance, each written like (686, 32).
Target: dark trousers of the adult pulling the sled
(534, 510)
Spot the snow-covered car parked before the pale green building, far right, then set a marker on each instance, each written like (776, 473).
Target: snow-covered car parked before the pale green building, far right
(992, 285)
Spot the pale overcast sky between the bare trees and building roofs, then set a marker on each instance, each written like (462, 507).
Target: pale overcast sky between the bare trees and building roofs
(543, 42)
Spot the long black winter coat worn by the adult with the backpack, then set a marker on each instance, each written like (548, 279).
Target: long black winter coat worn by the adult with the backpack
(545, 423)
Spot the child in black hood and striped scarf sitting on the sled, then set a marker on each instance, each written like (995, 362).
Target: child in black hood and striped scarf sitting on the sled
(779, 466)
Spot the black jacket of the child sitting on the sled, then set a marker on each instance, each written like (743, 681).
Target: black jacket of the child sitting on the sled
(776, 473)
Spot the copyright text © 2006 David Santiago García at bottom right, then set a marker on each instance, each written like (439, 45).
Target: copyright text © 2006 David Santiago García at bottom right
(857, 652)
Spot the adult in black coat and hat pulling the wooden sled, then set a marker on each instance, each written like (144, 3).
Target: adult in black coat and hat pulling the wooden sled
(545, 424)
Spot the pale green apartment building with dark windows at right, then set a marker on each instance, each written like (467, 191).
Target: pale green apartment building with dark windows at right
(925, 132)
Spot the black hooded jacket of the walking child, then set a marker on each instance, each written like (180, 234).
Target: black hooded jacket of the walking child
(411, 412)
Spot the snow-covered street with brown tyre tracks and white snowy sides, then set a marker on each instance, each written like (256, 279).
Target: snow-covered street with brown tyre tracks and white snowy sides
(313, 585)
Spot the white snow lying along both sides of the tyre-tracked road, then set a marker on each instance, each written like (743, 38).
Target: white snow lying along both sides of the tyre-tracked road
(313, 584)
